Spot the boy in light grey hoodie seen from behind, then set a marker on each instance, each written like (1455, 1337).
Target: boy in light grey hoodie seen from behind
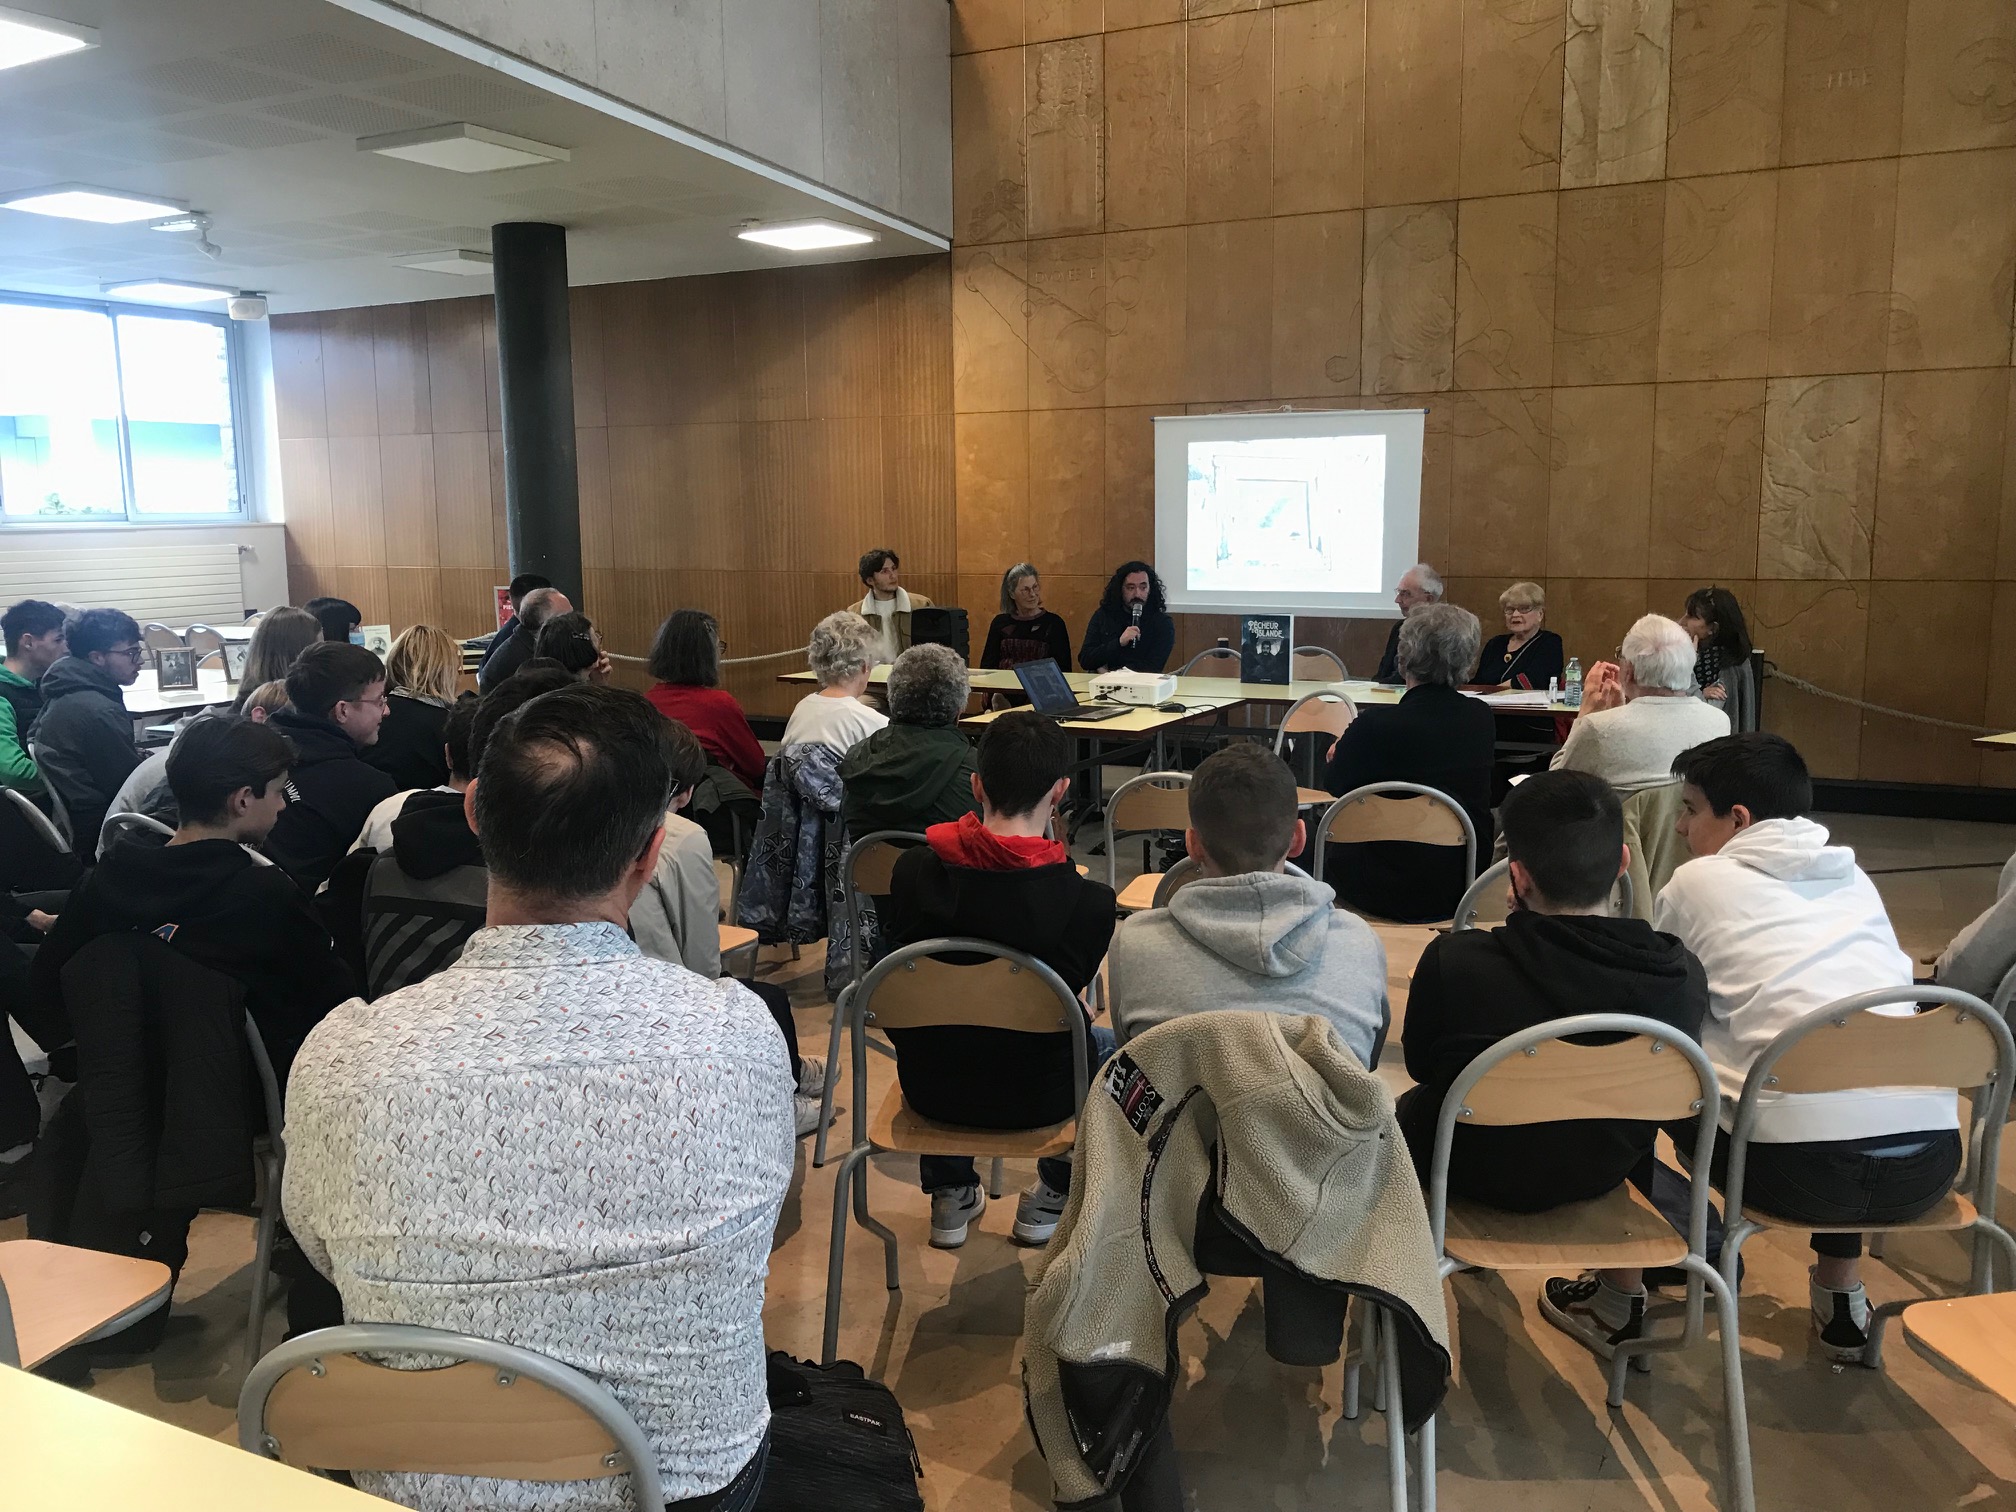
(1249, 932)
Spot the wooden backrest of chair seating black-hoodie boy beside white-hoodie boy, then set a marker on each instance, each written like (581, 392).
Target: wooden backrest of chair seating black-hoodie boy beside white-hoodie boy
(1634, 1080)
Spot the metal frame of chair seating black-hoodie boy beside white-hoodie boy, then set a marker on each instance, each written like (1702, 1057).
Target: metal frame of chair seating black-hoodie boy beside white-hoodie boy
(1703, 1277)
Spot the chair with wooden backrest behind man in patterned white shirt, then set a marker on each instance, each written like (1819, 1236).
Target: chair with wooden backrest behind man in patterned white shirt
(497, 1412)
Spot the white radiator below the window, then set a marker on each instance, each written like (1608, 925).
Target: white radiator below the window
(172, 586)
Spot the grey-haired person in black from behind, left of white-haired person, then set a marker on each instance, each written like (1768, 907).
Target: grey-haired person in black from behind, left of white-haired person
(1436, 737)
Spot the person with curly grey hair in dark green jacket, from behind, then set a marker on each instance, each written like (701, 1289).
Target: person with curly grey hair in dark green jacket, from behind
(918, 771)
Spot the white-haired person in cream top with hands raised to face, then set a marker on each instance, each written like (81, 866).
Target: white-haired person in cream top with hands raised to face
(1640, 713)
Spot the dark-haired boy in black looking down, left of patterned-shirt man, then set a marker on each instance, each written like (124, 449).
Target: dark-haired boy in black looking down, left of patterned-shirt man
(215, 904)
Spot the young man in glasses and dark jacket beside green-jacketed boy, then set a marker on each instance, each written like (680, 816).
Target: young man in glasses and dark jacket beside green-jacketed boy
(84, 735)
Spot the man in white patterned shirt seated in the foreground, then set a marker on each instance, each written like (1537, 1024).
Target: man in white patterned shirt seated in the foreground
(559, 1142)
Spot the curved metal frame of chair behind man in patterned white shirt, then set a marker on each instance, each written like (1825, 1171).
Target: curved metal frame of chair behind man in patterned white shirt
(511, 1362)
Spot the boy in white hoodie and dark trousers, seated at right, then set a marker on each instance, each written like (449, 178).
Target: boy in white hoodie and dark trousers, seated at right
(1787, 924)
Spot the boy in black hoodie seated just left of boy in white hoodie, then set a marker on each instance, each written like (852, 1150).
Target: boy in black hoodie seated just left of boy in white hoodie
(1557, 955)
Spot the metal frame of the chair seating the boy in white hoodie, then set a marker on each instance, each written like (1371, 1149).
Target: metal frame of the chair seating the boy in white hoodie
(1981, 1160)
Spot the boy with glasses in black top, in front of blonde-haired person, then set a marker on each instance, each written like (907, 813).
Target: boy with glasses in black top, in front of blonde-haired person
(338, 703)
